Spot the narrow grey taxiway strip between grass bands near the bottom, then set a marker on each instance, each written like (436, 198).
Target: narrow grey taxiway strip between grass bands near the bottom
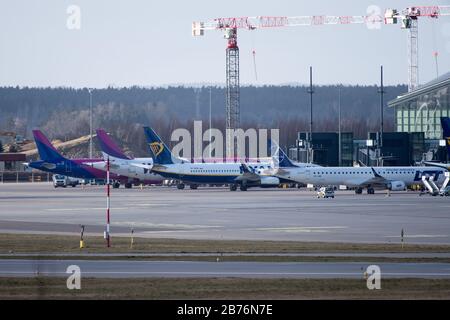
(186, 269)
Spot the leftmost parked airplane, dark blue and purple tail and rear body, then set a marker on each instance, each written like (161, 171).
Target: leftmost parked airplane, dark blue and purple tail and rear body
(52, 161)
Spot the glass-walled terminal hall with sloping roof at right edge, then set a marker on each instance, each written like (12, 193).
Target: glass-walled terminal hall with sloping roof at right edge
(421, 109)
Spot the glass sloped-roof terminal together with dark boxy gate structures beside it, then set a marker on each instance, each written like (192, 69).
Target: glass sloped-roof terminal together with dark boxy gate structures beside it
(417, 136)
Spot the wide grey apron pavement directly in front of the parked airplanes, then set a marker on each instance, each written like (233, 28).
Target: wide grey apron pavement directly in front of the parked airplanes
(218, 214)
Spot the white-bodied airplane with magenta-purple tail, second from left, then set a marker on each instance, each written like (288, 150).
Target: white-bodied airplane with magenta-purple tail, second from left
(138, 170)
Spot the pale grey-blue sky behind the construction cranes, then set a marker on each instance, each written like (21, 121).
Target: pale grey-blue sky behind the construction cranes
(149, 43)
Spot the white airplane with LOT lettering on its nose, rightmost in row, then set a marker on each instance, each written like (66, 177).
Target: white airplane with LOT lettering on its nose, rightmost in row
(391, 178)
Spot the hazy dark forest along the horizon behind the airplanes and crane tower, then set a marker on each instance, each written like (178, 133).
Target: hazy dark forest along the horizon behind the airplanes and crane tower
(63, 113)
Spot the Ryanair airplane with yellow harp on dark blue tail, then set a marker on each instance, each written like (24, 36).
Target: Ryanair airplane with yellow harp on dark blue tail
(234, 174)
